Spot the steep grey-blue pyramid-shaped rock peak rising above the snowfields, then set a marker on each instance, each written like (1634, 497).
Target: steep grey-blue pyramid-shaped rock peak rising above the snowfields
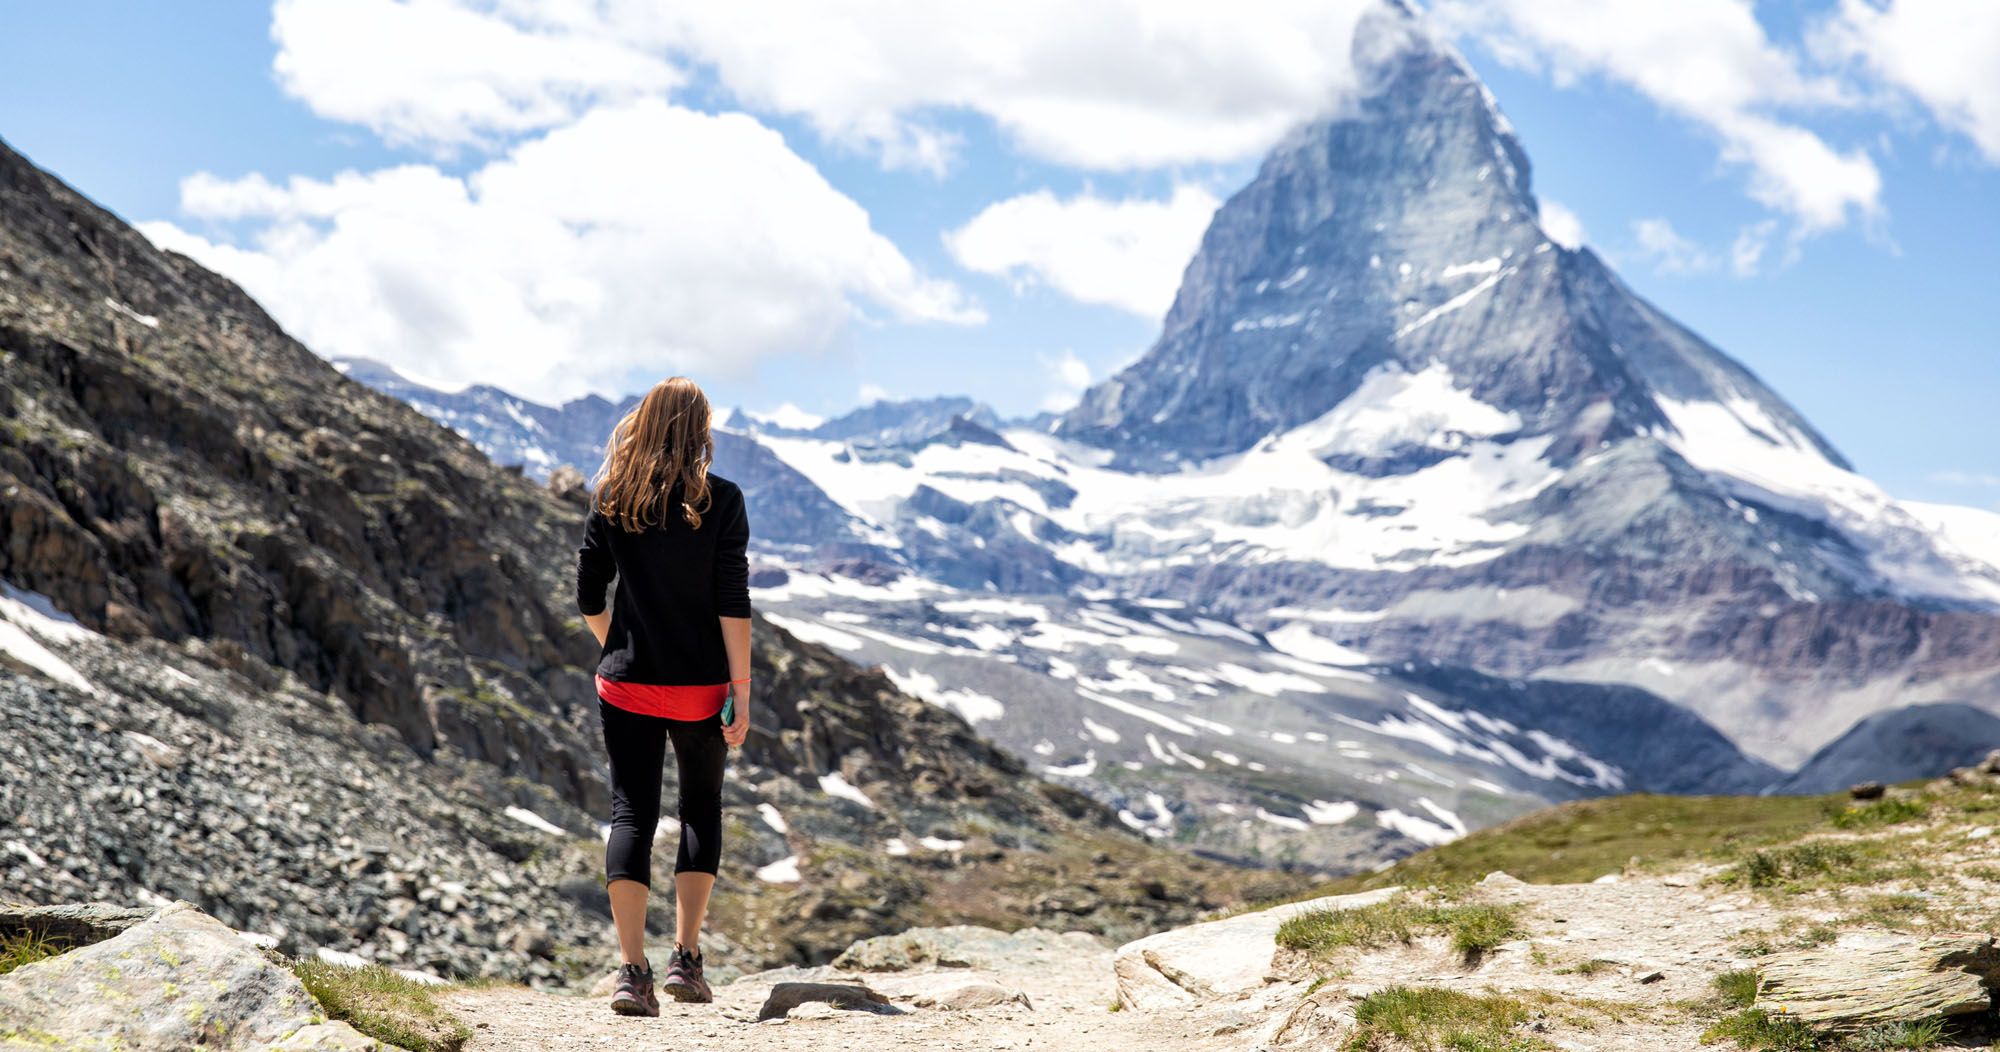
(1401, 237)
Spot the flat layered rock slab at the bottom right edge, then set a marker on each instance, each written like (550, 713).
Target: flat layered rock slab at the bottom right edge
(1865, 981)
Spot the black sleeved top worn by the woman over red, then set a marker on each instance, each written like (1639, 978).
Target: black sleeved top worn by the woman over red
(673, 585)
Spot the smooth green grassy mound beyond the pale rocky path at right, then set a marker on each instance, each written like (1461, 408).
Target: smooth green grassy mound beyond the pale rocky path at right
(1589, 839)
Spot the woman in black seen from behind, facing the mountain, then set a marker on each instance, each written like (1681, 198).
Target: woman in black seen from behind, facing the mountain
(675, 649)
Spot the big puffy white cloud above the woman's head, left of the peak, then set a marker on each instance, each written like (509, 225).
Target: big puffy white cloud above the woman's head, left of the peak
(641, 239)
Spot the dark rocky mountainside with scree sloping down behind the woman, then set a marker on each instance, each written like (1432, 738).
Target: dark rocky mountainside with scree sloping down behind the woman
(279, 645)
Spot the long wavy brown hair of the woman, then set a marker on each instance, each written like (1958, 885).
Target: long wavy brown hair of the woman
(661, 443)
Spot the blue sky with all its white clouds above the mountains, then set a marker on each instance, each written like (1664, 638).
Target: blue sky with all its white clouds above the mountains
(1009, 229)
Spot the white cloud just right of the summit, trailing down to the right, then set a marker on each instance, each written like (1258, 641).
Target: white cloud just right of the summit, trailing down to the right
(1707, 61)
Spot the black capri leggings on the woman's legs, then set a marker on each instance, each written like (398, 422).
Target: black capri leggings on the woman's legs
(637, 747)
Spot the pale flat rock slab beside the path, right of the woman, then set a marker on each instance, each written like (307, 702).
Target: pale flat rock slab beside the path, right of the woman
(1217, 959)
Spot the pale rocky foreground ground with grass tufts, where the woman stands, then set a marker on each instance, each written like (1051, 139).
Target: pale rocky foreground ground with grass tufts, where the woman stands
(1841, 927)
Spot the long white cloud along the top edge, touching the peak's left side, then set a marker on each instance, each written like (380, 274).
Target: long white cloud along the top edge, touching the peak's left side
(1103, 85)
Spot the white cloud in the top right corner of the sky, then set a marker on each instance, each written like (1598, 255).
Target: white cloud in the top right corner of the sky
(1945, 53)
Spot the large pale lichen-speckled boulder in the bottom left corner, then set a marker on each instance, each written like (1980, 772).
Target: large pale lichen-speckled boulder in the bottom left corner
(179, 979)
